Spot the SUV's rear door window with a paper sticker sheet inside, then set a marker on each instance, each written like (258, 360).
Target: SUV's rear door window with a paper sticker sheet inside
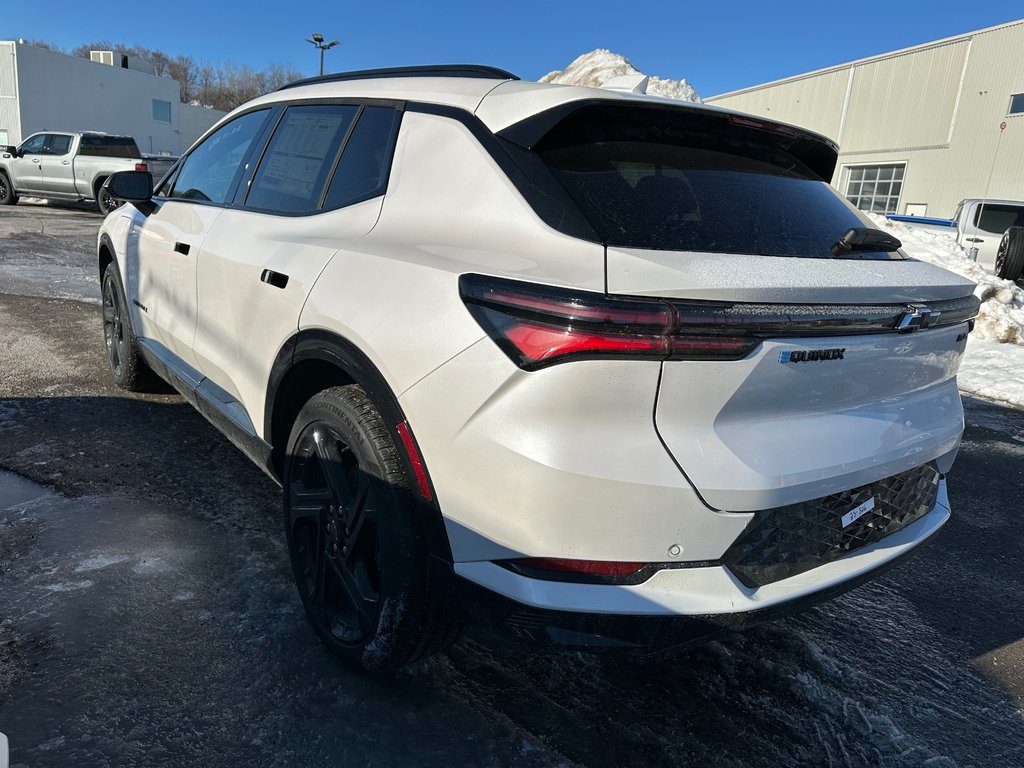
(300, 159)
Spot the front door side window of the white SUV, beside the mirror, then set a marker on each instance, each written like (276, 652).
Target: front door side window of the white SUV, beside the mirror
(211, 169)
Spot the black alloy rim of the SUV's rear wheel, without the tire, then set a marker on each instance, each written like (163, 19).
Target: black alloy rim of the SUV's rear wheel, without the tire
(335, 527)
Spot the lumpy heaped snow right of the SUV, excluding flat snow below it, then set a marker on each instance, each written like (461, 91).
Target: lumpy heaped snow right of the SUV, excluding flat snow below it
(1002, 315)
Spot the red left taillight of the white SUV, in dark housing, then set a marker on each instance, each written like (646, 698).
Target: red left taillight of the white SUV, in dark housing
(540, 326)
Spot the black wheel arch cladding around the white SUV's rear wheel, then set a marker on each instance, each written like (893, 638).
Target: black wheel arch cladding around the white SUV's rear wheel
(314, 361)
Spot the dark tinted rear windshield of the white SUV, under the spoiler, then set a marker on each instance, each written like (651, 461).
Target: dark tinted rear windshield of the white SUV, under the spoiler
(685, 182)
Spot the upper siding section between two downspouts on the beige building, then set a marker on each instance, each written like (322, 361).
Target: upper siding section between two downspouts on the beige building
(906, 102)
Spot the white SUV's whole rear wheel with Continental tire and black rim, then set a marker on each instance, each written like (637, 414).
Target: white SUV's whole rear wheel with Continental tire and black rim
(358, 549)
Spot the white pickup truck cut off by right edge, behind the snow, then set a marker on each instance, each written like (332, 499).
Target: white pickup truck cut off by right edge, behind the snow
(991, 231)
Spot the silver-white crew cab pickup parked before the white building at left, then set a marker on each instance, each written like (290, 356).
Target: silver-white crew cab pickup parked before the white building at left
(67, 166)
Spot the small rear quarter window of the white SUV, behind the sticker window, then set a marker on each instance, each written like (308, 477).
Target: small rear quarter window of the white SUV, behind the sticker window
(367, 159)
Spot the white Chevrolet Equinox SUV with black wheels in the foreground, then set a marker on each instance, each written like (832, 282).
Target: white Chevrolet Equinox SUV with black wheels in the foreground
(581, 367)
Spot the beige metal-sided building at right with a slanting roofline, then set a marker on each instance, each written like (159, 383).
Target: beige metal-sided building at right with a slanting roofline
(919, 130)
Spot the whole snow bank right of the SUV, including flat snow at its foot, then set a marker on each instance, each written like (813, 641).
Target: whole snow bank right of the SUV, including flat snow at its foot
(991, 369)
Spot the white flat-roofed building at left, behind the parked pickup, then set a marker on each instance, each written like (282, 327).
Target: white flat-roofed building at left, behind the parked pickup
(44, 91)
